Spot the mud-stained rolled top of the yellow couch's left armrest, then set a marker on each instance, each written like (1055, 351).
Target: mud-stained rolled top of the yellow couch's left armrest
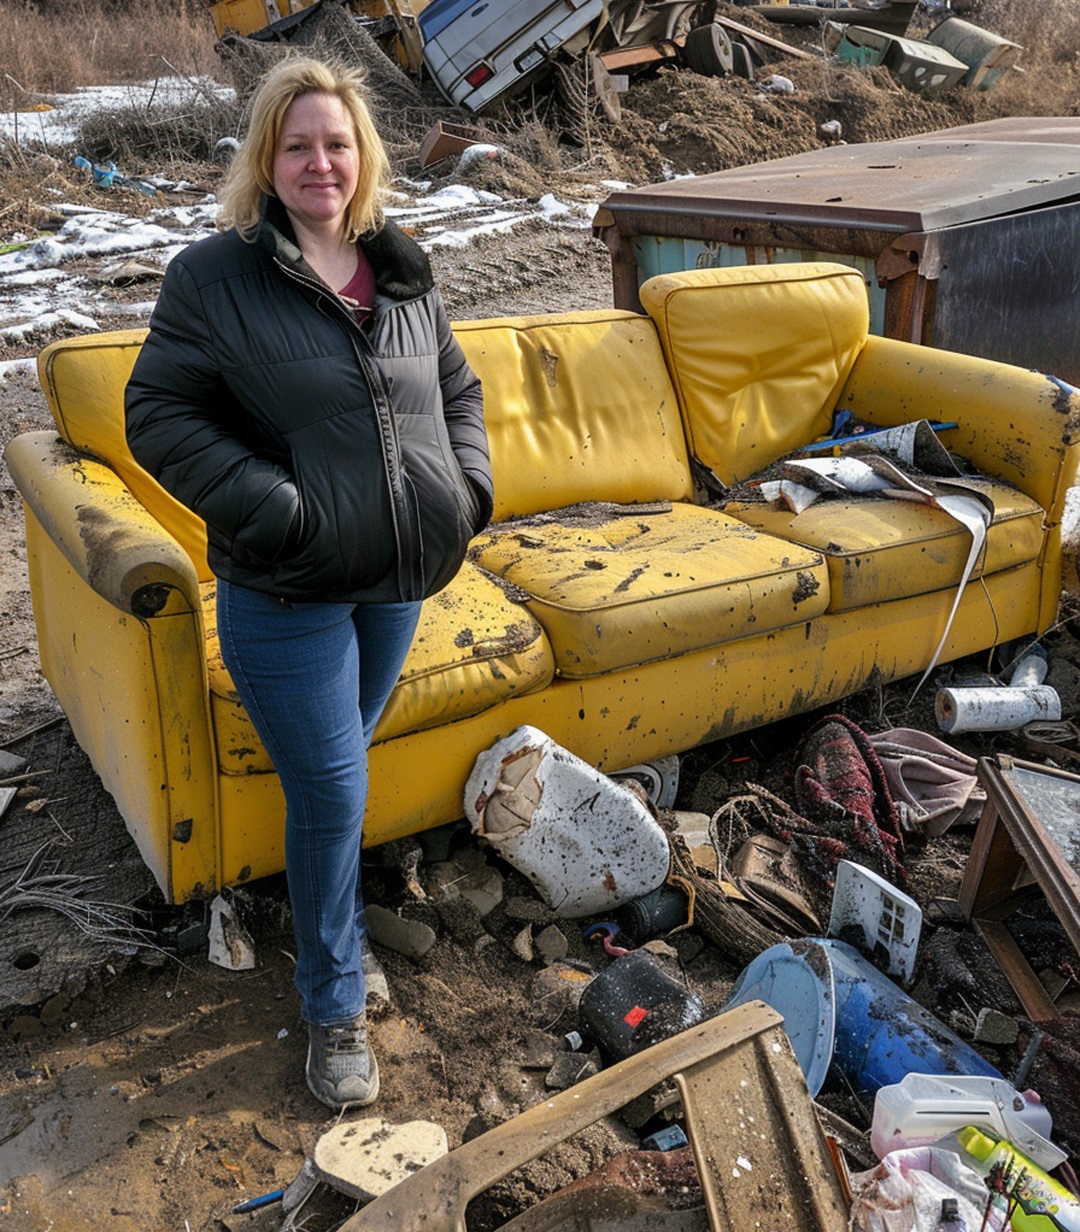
(111, 541)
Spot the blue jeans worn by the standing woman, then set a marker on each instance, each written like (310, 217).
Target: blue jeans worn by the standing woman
(315, 679)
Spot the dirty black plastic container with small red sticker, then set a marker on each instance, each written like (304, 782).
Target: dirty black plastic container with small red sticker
(634, 1005)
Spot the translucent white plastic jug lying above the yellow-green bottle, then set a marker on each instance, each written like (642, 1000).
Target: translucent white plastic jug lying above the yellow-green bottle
(924, 1108)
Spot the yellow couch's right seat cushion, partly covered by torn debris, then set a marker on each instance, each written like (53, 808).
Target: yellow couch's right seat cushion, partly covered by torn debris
(880, 550)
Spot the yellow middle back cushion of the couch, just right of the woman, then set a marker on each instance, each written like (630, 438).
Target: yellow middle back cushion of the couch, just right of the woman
(578, 407)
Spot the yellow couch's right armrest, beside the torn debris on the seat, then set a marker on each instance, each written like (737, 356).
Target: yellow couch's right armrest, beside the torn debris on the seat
(1015, 424)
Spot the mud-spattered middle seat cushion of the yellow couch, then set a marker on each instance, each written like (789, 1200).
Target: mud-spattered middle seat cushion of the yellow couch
(619, 590)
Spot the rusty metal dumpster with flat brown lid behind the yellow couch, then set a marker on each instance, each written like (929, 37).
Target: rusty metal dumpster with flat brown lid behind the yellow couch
(969, 238)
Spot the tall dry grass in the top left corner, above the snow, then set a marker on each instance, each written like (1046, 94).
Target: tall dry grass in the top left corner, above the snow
(58, 46)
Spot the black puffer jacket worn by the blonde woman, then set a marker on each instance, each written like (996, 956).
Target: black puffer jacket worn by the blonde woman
(329, 463)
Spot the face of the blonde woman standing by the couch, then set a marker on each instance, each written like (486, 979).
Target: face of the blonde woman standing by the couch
(316, 163)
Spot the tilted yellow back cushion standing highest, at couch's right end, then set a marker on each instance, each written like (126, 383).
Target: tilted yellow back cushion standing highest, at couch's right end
(758, 355)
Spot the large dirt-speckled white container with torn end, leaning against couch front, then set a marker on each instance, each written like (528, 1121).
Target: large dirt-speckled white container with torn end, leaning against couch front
(586, 842)
